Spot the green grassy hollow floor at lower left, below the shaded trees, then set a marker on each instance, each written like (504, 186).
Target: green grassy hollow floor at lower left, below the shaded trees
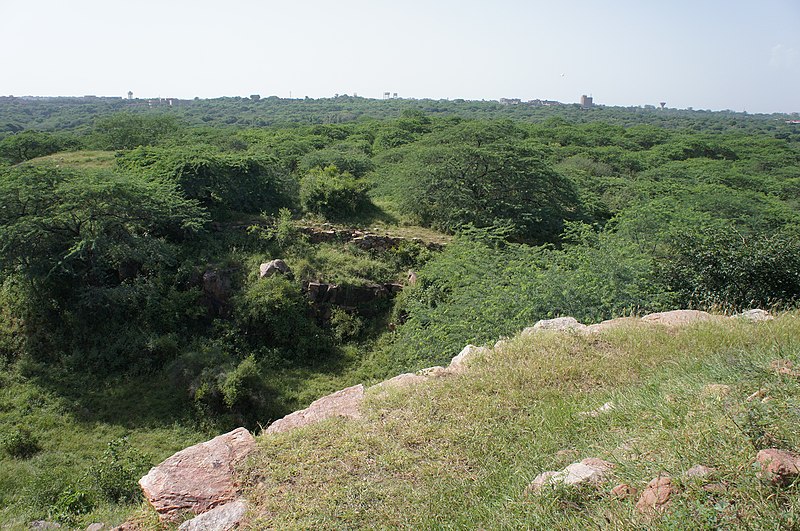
(74, 419)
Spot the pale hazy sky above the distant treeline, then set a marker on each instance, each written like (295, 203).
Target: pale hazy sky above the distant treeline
(706, 54)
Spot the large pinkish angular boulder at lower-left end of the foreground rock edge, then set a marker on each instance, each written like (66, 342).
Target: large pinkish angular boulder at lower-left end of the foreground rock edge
(198, 478)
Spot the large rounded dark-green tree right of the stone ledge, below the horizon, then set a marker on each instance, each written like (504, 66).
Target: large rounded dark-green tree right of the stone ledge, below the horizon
(485, 175)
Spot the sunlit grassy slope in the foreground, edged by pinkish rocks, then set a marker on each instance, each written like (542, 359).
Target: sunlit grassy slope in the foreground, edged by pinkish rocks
(459, 452)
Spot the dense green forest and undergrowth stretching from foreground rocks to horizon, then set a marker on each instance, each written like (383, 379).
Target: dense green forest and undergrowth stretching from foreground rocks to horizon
(134, 320)
